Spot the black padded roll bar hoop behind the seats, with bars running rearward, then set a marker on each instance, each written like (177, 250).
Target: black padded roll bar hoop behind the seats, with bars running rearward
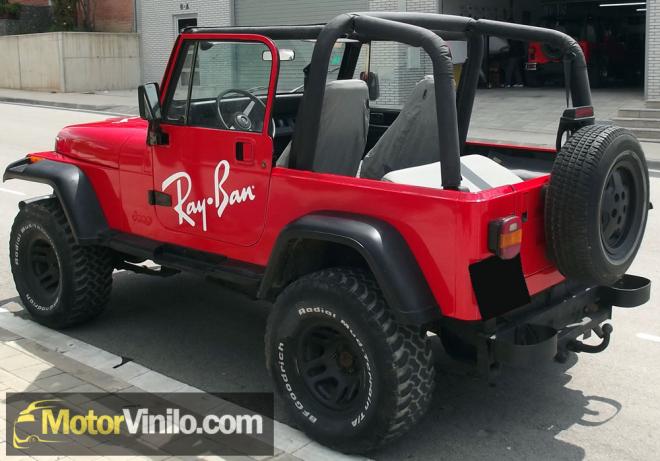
(418, 29)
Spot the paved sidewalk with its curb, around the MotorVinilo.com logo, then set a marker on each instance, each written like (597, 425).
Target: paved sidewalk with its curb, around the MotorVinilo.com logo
(36, 359)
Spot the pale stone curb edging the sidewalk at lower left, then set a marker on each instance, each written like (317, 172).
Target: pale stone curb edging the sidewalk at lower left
(289, 442)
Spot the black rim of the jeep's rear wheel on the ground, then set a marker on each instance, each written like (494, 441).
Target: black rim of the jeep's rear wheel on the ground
(330, 366)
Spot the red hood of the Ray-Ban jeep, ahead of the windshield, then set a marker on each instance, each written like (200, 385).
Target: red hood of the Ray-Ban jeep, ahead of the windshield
(99, 142)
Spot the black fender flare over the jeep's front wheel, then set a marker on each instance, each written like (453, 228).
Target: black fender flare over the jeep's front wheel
(74, 191)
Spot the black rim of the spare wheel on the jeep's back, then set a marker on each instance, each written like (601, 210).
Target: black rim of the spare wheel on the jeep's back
(620, 210)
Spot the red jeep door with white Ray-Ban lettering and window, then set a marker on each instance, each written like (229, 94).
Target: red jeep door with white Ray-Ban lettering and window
(212, 174)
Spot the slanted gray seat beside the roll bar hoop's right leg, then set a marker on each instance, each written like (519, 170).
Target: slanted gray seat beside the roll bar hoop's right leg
(412, 140)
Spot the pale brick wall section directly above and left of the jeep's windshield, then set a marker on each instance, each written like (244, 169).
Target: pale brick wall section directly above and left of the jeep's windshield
(157, 28)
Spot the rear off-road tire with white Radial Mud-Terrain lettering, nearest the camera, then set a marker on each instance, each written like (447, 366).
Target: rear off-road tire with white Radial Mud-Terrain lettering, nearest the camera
(399, 357)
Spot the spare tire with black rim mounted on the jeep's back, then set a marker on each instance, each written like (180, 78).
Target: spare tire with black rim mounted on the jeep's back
(597, 204)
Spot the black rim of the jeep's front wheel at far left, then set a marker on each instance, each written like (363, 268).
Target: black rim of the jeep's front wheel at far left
(43, 271)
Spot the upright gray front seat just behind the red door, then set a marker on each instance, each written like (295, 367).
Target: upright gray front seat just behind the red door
(343, 129)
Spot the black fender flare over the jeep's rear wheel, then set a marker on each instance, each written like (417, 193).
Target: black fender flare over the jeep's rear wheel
(383, 248)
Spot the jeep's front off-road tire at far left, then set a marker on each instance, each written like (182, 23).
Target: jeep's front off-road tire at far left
(81, 283)
